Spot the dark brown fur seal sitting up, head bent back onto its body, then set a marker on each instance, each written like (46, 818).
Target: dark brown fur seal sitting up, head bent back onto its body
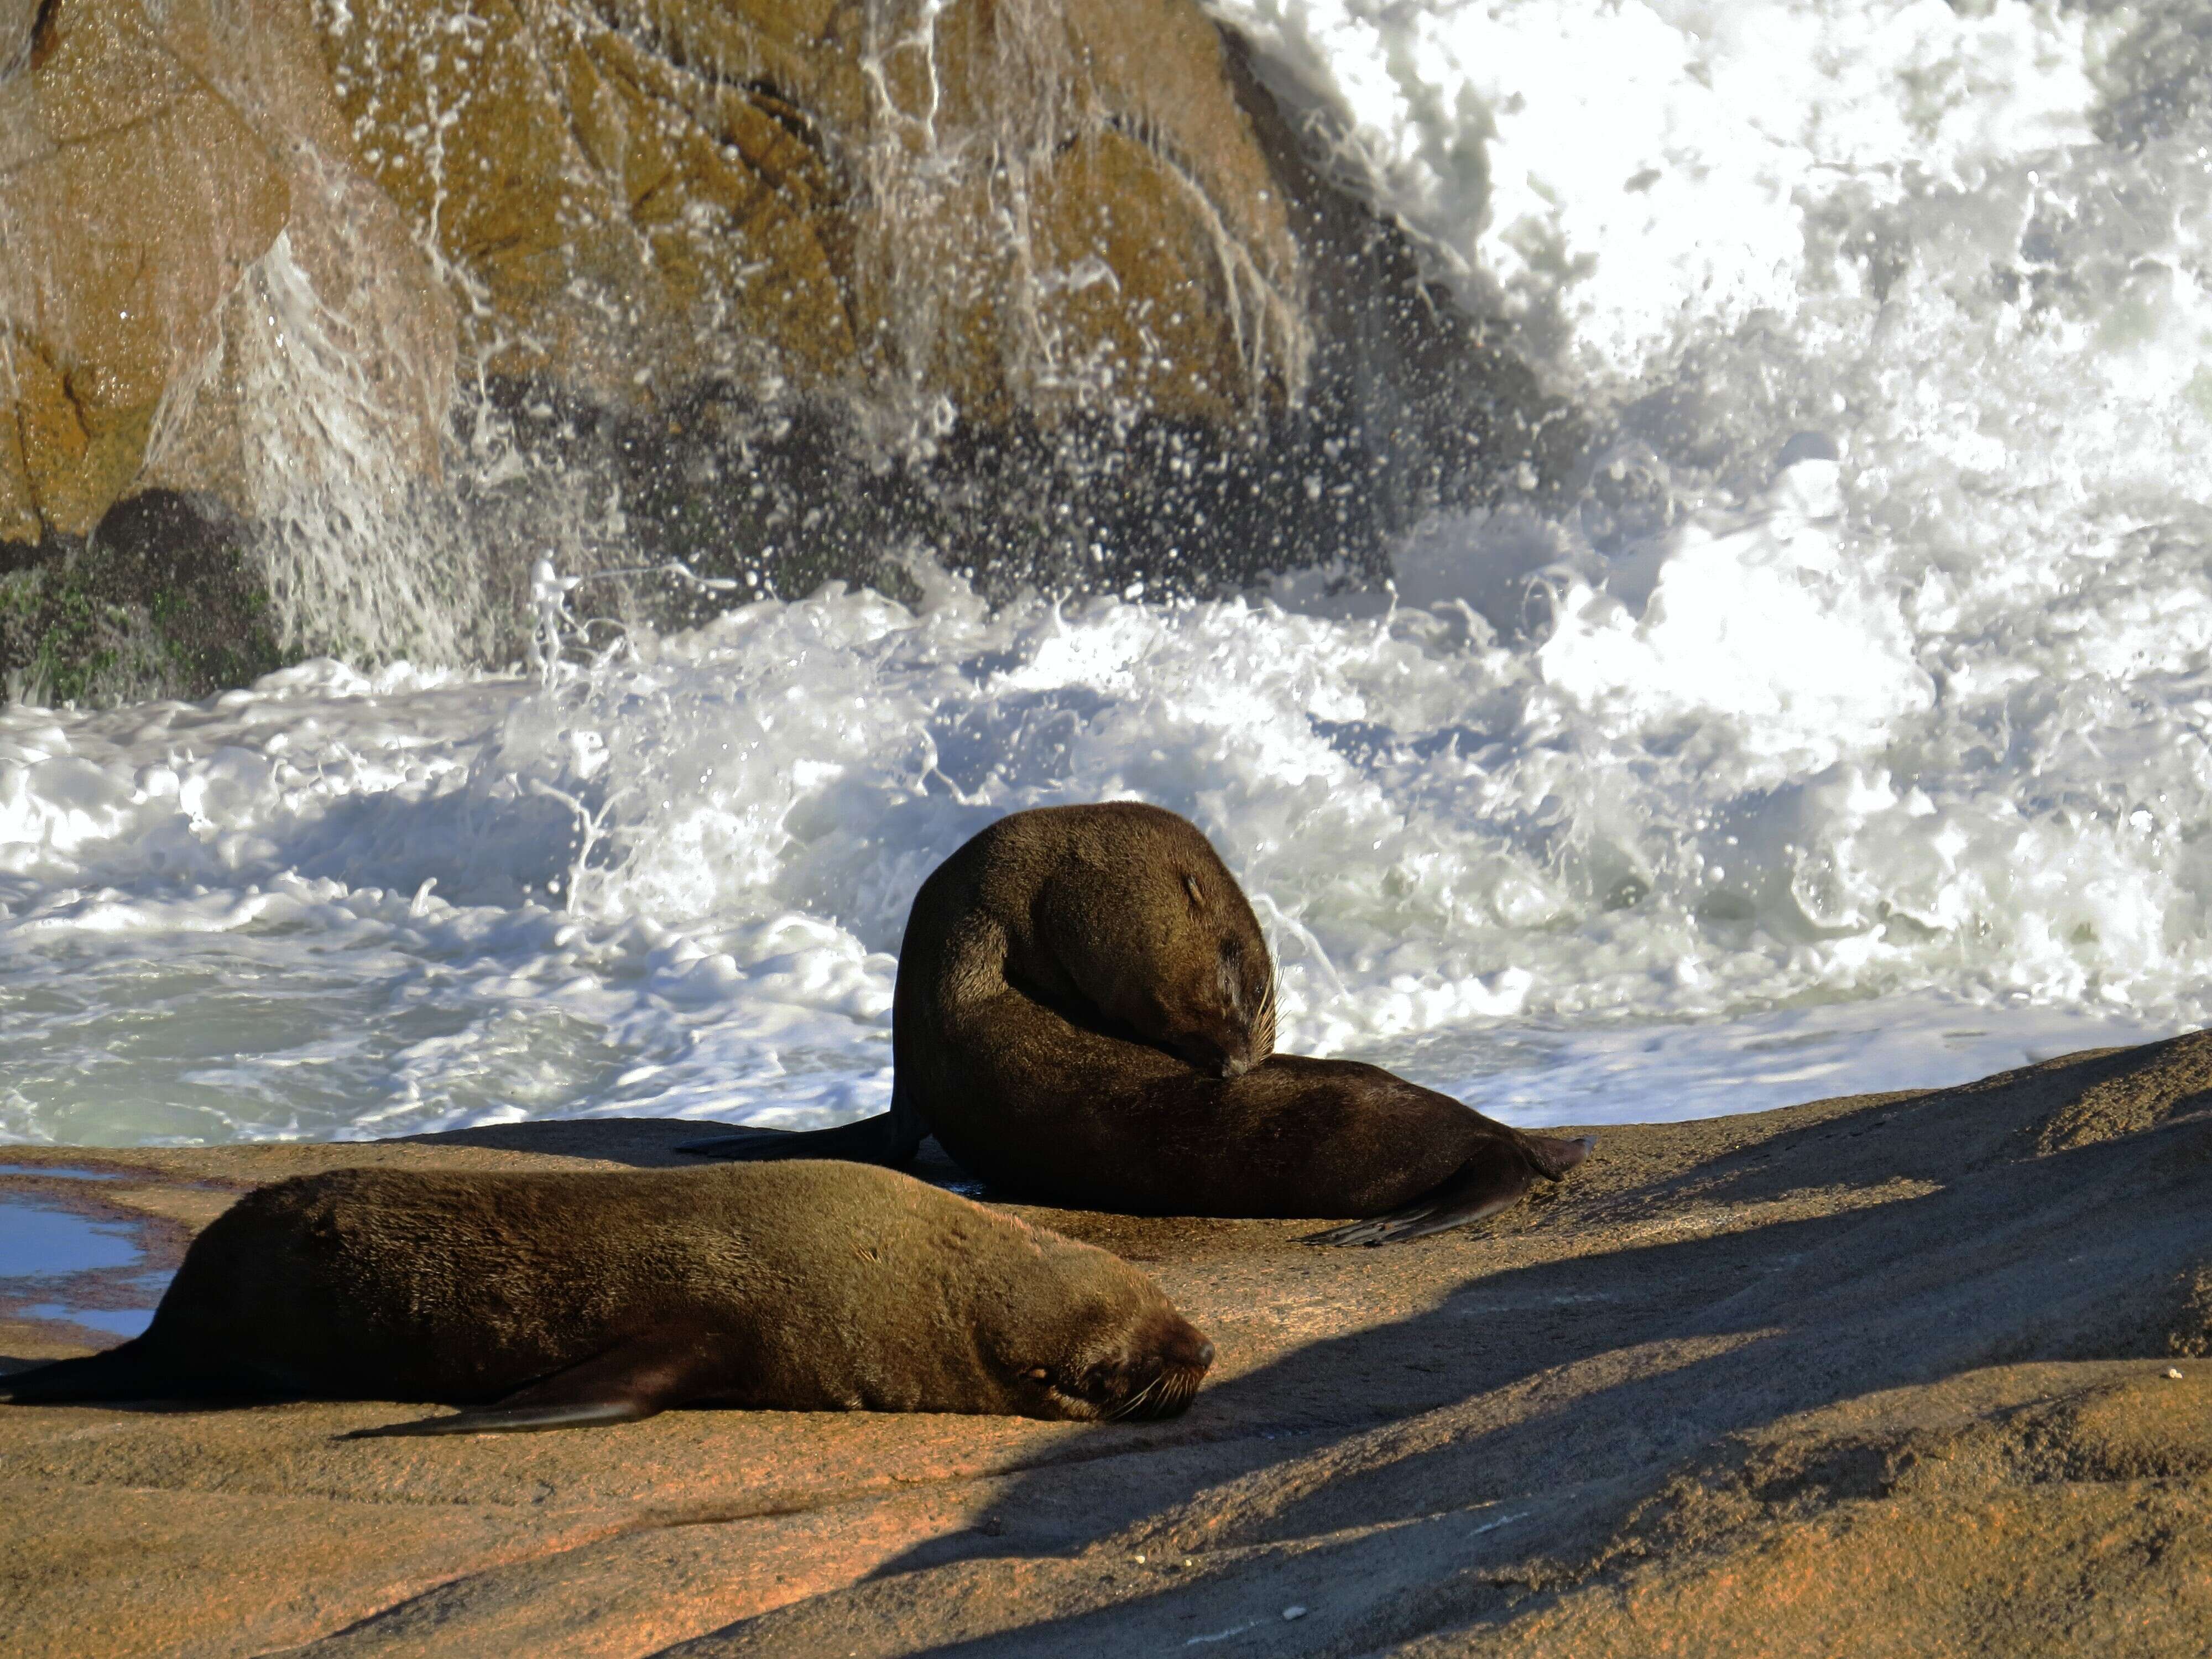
(1087, 1012)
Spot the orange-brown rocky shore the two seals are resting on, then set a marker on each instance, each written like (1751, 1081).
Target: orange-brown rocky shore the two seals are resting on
(1879, 1375)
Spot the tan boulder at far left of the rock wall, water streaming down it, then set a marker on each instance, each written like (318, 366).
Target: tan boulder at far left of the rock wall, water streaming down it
(156, 167)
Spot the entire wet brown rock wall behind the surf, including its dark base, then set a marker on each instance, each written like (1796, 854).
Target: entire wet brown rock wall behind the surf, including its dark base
(1039, 286)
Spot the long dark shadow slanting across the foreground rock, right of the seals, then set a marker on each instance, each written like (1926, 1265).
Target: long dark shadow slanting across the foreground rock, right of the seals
(1715, 1280)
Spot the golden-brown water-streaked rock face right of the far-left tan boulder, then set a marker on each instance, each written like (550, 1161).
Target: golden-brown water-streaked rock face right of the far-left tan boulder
(1016, 205)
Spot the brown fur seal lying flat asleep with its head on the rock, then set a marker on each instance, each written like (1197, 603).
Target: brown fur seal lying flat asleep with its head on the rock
(552, 1302)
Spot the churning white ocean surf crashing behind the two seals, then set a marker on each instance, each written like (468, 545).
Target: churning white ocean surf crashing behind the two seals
(1848, 731)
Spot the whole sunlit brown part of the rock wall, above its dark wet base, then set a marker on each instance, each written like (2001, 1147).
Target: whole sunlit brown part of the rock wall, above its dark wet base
(1012, 207)
